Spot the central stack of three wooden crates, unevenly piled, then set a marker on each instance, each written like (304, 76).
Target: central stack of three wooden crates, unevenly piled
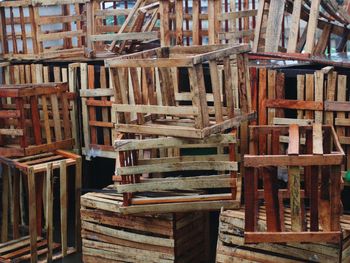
(177, 118)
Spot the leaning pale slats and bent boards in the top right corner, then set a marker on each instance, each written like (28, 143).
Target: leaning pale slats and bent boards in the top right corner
(320, 15)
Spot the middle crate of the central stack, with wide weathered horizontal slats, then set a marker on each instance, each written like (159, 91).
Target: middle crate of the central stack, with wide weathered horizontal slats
(196, 174)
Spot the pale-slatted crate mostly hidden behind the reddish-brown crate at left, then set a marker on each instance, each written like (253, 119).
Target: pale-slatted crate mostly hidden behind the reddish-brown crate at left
(48, 73)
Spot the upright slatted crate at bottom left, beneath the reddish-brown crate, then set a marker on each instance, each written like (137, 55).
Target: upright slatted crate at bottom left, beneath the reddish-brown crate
(36, 174)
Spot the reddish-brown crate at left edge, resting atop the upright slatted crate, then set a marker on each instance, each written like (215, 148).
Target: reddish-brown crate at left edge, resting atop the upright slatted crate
(34, 119)
